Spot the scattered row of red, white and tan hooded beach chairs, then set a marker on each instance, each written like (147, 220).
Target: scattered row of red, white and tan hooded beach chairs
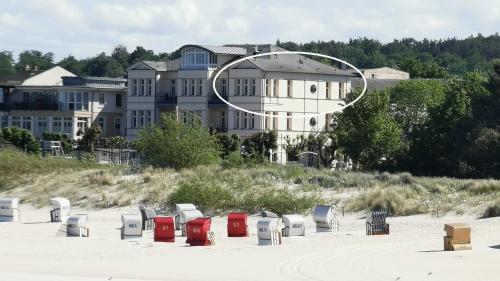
(190, 221)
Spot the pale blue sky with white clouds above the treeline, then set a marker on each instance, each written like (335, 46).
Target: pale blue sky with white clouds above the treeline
(84, 28)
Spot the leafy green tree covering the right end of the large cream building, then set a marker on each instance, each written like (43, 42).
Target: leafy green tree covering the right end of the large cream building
(367, 132)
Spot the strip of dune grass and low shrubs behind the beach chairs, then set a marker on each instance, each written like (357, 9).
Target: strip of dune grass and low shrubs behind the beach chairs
(221, 188)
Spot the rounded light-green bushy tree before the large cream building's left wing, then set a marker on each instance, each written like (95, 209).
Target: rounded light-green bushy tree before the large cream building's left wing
(172, 143)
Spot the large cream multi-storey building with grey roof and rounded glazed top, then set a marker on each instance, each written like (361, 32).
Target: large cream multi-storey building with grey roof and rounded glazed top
(278, 85)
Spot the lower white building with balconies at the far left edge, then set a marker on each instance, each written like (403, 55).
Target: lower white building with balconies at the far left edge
(58, 101)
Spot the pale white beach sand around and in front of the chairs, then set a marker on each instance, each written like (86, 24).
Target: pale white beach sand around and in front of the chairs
(34, 249)
